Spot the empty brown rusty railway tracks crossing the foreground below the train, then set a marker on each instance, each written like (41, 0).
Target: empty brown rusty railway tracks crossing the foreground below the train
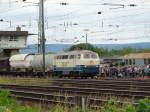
(75, 92)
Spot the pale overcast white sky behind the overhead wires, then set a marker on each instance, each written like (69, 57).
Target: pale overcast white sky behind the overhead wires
(67, 24)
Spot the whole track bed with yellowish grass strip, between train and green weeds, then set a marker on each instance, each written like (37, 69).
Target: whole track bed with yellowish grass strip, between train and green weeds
(96, 94)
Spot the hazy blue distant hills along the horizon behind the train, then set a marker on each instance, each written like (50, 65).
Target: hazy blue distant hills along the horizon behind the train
(62, 47)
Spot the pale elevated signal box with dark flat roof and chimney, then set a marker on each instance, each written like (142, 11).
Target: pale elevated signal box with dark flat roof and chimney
(12, 41)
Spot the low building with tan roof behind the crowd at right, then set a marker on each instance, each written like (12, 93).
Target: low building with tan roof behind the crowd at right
(137, 59)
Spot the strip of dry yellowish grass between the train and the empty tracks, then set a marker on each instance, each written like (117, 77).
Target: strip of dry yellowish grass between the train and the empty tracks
(49, 81)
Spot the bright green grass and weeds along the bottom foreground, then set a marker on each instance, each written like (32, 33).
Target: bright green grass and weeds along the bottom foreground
(10, 104)
